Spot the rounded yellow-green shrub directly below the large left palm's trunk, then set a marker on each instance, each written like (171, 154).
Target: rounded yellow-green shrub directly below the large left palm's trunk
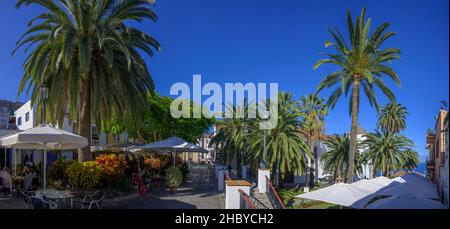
(85, 176)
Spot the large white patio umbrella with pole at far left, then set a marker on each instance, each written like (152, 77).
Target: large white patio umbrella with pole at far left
(44, 138)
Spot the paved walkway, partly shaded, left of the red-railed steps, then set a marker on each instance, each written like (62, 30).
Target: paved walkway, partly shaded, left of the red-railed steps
(199, 191)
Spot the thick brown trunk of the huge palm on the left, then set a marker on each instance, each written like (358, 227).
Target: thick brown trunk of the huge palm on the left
(85, 121)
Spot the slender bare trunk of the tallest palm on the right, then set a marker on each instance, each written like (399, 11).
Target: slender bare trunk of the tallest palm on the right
(354, 130)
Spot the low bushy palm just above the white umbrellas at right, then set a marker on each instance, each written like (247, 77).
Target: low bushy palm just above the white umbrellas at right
(388, 151)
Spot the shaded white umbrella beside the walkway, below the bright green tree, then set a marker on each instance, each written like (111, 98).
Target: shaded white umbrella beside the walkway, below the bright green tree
(174, 145)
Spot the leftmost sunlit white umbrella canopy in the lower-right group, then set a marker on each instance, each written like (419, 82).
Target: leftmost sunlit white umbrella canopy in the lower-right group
(340, 194)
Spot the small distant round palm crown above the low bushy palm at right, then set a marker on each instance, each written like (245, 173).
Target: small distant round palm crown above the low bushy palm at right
(392, 117)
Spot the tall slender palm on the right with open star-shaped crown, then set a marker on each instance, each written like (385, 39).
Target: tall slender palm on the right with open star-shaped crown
(362, 63)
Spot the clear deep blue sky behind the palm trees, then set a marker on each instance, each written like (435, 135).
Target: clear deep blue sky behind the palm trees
(268, 41)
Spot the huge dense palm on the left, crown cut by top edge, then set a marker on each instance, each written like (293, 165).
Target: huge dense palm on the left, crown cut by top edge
(90, 59)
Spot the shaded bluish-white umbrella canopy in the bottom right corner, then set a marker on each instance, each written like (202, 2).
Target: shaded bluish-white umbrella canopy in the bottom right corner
(405, 202)
